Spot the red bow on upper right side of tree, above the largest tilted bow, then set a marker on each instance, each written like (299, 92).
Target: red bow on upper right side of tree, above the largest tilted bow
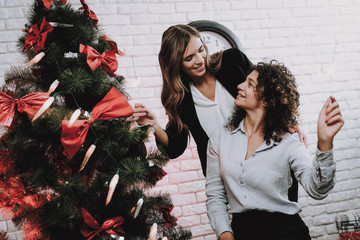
(107, 60)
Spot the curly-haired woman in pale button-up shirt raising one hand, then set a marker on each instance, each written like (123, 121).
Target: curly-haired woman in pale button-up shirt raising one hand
(248, 160)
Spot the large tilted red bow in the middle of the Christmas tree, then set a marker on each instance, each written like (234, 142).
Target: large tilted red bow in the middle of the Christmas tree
(113, 105)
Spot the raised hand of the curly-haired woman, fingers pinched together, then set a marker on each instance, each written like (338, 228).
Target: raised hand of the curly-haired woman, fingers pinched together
(329, 123)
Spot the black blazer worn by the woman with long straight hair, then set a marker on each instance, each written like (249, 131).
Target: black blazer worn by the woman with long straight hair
(233, 71)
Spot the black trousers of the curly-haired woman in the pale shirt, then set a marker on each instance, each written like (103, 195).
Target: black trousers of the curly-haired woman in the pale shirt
(262, 225)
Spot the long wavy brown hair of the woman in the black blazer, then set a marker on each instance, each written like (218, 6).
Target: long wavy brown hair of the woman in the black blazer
(174, 42)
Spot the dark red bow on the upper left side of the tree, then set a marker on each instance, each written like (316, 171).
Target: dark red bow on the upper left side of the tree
(36, 36)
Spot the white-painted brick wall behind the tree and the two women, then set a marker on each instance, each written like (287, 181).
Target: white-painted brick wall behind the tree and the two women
(300, 33)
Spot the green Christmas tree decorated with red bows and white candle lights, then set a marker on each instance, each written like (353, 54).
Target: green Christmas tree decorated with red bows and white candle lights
(73, 164)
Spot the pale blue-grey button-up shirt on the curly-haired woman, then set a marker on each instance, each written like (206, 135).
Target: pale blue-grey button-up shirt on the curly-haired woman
(262, 181)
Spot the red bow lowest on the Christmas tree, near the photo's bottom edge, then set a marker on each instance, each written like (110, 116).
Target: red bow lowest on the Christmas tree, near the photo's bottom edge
(91, 227)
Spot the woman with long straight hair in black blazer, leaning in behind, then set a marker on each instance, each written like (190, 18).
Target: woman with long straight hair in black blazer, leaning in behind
(198, 90)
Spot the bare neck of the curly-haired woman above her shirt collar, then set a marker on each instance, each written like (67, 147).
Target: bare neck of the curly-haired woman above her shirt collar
(254, 122)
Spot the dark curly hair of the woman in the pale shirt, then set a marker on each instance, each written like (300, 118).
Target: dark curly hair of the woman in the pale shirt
(278, 90)
